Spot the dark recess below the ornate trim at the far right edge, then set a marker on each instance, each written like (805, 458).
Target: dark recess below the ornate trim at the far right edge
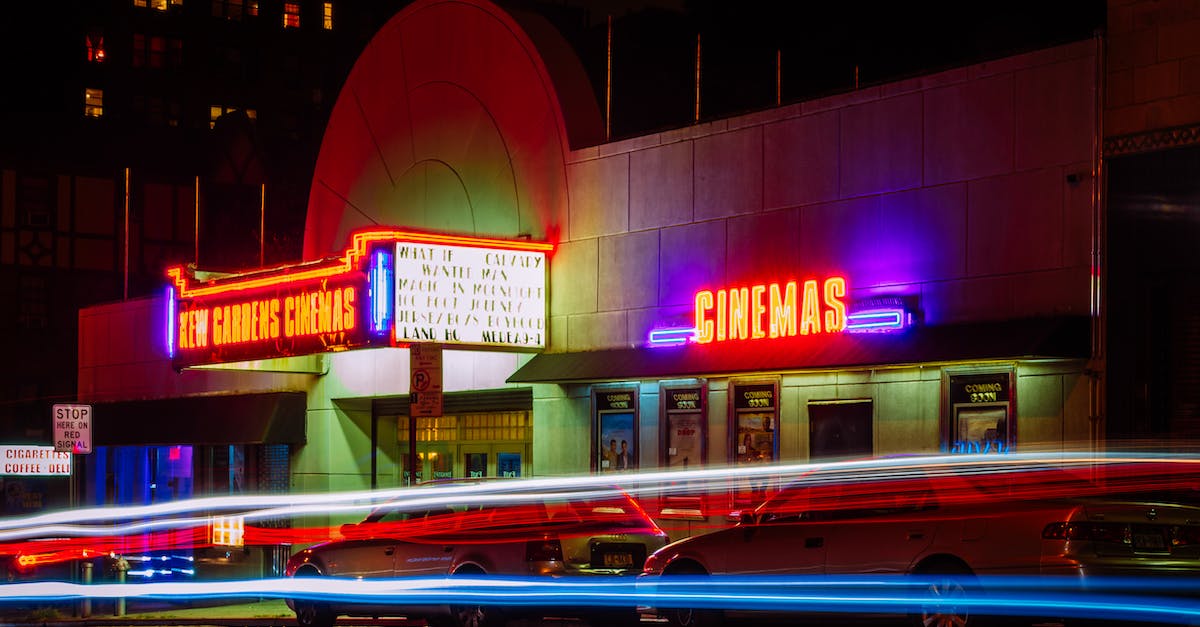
(1154, 294)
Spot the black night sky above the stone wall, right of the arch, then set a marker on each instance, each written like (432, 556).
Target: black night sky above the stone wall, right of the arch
(820, 46)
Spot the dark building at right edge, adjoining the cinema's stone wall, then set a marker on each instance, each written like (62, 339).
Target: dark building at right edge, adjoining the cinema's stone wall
(1153, 162)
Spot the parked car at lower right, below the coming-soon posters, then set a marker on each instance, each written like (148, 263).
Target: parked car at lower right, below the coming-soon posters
(952, 526)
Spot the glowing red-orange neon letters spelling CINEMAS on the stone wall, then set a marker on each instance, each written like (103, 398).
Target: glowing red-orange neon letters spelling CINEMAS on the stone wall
(771, 310)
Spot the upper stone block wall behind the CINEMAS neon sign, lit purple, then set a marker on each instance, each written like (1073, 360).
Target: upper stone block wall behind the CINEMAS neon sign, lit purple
(968, 192)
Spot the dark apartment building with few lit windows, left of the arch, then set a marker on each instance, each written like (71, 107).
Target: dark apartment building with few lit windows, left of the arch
(140, 134)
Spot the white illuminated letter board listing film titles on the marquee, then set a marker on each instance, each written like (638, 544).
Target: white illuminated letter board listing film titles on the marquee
(469, 295)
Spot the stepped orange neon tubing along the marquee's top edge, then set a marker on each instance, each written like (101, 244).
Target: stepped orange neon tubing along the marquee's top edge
(347, 262)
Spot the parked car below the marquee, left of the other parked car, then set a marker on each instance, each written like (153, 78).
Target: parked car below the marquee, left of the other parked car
(603, 533)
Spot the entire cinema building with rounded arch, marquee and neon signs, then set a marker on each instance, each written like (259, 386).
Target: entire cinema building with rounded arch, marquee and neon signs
(902, 268)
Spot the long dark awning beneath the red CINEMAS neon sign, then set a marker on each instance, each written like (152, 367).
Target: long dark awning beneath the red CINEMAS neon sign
(1019, 339)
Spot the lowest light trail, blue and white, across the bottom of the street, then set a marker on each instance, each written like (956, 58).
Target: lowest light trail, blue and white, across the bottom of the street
(1118, 599)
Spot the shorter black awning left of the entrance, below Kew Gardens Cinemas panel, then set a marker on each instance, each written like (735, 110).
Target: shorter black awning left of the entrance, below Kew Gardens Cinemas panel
(266, 419)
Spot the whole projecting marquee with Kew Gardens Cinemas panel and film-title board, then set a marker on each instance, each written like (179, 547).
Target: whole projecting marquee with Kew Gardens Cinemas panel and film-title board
(391, 288)
